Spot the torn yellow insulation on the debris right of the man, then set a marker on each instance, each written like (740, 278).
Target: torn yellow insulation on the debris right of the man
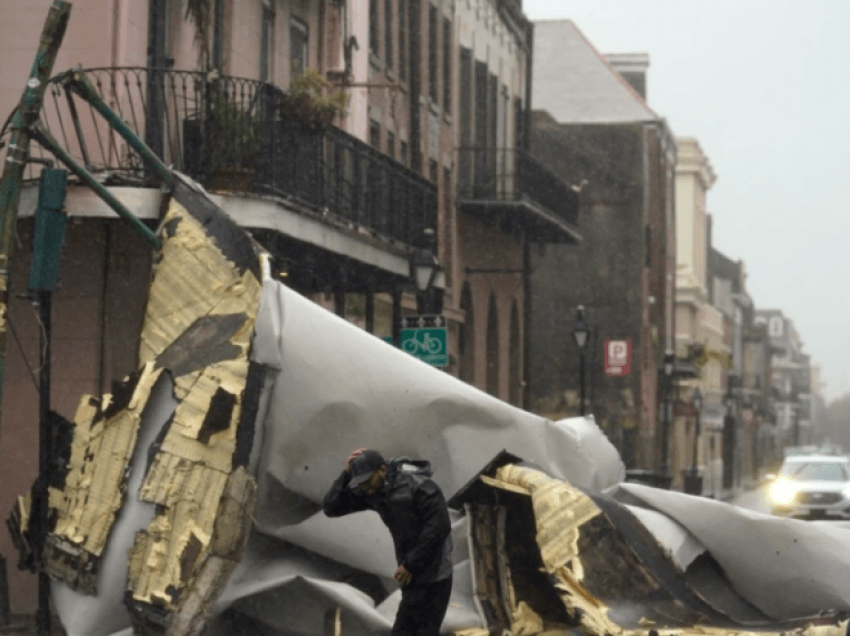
(559, 511)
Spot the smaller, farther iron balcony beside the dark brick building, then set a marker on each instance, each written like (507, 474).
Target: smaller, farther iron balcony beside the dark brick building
(509, 185)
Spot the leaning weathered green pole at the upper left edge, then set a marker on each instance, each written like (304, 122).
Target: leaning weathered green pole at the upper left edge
(18, 151)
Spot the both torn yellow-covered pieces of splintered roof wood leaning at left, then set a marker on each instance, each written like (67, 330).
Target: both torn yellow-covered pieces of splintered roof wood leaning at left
(198, 328)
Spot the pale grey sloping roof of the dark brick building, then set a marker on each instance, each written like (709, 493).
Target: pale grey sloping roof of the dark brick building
(576, 84)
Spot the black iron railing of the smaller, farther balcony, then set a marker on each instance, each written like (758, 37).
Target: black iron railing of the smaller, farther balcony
(513, 175)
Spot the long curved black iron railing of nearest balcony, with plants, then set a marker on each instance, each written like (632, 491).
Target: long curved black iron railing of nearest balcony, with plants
(233, 134)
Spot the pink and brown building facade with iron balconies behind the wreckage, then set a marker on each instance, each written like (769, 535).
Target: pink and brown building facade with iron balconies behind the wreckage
(435, 96)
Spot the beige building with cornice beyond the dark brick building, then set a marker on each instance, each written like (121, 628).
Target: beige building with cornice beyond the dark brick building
(700, 331)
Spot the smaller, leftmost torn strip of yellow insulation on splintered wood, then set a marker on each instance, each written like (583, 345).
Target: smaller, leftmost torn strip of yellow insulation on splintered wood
(100, 453)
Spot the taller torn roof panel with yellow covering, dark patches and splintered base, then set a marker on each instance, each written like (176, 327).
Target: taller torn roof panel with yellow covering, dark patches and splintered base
(199, 323)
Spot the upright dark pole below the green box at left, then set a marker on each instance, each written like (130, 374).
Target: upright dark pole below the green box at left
(42, 615)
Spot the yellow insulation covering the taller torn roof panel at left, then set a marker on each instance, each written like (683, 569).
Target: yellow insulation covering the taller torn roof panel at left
(188, 475)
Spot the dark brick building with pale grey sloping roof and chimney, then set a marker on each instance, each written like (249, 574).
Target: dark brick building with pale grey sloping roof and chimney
(594, 128)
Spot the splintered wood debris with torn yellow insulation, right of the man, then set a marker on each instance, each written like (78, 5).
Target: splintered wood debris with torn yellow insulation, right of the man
(579, 548)
